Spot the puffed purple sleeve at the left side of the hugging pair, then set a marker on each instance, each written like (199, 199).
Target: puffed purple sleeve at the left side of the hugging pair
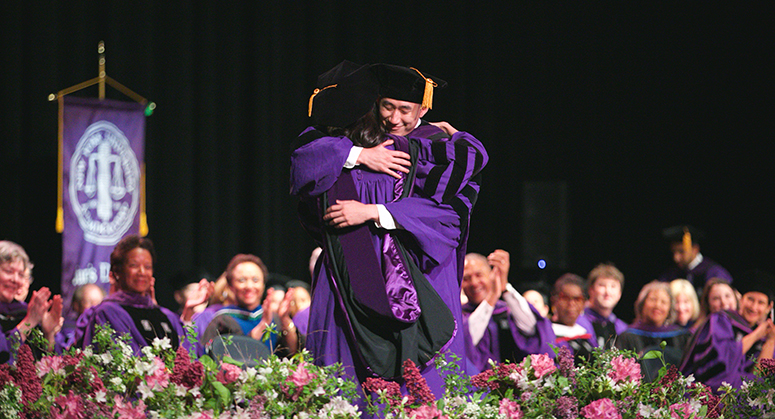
(316, 165)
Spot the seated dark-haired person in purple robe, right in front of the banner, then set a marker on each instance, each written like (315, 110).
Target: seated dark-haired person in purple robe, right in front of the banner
(131, 308)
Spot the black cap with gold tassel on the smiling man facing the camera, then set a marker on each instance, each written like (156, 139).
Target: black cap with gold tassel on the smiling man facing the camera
(407, 83)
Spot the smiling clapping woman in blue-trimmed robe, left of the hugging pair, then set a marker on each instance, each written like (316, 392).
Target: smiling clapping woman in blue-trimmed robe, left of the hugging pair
(245, 275)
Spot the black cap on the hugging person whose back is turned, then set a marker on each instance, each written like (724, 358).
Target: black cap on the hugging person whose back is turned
(343, 95)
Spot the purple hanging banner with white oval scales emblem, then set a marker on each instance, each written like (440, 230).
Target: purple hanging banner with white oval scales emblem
(103, 146)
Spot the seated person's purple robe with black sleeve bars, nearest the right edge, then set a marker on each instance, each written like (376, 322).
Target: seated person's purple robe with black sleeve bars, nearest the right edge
(715, 353)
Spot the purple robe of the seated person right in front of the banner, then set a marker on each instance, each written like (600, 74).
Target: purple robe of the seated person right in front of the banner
(112, 312)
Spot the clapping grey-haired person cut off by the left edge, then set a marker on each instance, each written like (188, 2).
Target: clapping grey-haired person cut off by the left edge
(17, 318)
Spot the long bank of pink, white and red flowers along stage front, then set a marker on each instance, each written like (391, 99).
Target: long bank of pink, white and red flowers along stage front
(107, 380)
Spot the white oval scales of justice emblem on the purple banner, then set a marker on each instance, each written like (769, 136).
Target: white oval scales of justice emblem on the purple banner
(104, 184)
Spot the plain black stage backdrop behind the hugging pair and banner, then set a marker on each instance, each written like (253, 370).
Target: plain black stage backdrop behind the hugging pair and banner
(648, 114)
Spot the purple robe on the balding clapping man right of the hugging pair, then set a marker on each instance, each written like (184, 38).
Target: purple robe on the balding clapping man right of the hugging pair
(489, 347)
